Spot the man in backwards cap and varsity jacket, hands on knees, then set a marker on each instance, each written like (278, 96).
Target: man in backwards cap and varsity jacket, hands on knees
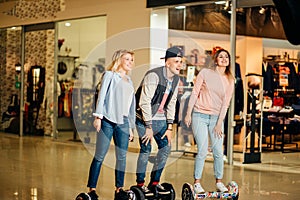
(156, 99)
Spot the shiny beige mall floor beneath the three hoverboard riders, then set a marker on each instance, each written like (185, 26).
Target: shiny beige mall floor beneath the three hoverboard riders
(41, 168)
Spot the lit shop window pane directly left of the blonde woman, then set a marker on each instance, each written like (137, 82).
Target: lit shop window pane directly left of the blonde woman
(78, 73)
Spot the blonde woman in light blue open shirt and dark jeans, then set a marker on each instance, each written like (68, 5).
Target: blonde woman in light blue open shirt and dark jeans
(114, 118)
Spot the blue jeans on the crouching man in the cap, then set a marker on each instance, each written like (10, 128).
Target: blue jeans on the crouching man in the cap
(159, 128)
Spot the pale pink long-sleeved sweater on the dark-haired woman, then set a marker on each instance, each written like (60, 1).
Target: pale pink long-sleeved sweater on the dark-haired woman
(212, 93)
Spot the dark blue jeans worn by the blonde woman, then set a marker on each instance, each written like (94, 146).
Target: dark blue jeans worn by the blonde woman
(120, 134)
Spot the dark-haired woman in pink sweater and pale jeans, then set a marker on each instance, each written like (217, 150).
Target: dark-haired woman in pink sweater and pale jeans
(206, 111)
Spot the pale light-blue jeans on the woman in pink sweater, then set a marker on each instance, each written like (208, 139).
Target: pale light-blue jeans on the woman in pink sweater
(203, 127)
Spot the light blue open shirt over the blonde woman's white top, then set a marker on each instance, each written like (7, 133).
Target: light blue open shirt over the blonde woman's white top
(110, 100)
